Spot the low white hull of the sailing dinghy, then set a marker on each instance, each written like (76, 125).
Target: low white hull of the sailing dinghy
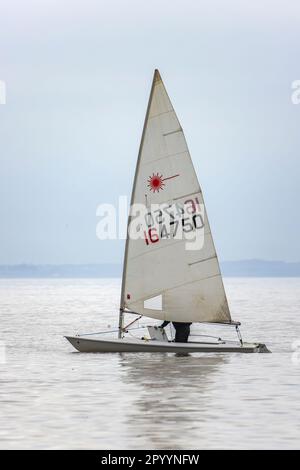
(83, 344)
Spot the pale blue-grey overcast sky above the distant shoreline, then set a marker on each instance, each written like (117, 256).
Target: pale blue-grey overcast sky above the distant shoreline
(77, 78)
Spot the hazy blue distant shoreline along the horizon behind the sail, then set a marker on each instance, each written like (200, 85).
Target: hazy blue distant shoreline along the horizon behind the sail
(243, 268)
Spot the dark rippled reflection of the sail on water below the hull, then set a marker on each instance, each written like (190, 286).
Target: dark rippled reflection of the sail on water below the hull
(172, 396)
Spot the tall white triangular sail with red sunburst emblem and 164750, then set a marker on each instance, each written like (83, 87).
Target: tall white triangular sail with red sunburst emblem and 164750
(162, 277)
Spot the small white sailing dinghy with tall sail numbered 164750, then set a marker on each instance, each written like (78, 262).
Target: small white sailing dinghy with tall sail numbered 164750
(171, 270)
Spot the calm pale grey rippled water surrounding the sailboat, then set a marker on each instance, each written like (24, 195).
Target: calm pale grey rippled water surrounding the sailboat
(53, 398)
